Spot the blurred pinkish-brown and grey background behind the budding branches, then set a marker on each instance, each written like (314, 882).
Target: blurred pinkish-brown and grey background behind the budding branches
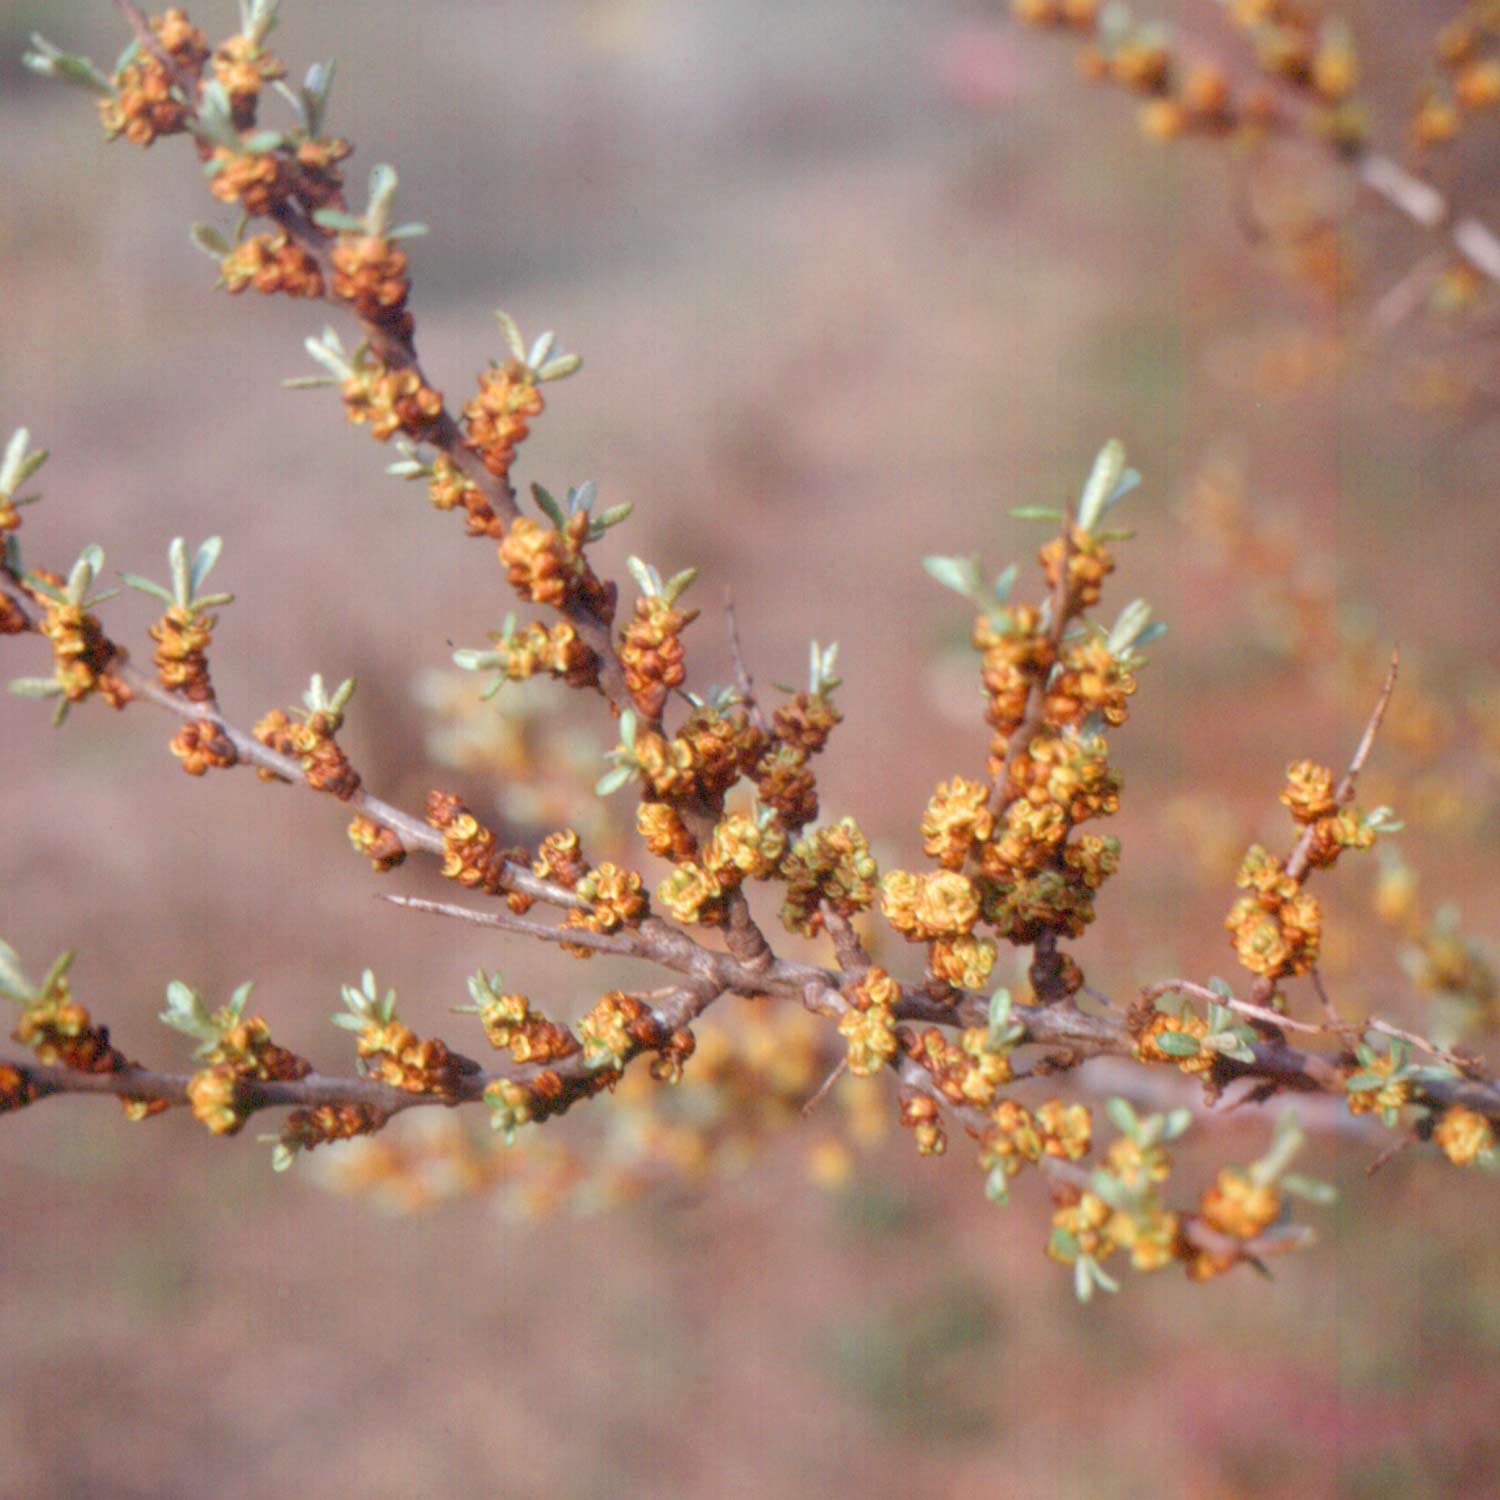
(833, 319)
